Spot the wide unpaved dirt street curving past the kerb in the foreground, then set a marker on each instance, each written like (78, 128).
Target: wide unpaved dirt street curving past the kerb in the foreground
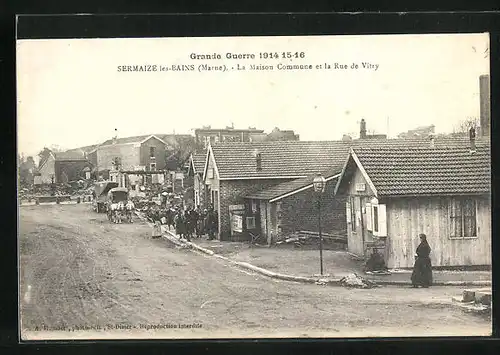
(80, 272)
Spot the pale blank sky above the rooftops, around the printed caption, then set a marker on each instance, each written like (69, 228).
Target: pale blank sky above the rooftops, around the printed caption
(70, 92)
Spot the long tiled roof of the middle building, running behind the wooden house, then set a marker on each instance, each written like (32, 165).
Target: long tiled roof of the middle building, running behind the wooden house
(303, 158)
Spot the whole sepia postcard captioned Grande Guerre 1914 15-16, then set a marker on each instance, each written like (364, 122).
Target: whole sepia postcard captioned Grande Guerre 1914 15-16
(254, 187)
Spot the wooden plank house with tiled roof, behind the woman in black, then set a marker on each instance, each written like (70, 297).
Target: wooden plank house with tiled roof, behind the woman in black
(393, 195)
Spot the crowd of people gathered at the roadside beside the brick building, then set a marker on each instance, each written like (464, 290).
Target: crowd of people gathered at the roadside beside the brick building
(189, 223)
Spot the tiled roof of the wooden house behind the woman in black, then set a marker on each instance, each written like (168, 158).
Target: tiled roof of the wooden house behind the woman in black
(424, 170)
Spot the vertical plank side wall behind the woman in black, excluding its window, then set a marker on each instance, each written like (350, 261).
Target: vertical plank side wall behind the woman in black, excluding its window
(408, 217)
